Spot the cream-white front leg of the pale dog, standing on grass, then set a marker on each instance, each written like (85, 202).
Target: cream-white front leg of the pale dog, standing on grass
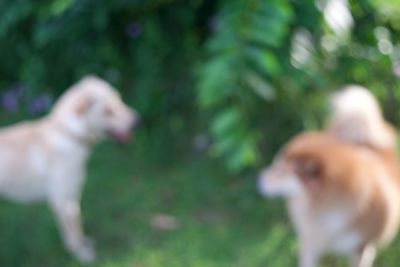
(69, 219)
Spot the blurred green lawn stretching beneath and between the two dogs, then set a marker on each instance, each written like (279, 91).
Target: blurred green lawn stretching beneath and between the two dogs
(220, 219)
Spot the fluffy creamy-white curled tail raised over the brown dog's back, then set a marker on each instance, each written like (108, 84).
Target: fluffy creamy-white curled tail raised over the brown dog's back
(357, 118)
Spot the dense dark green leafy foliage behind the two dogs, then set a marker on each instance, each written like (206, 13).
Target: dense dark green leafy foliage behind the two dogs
(248, 73)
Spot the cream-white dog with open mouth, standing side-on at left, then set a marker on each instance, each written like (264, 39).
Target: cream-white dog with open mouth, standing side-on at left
(45, 160)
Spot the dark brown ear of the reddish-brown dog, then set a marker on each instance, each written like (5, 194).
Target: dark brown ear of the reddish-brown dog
(311, 172)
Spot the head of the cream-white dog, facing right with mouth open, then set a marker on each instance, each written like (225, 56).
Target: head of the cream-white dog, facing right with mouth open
(92, 109)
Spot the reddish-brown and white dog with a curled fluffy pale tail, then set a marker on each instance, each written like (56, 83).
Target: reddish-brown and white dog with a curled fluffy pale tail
(342, 185)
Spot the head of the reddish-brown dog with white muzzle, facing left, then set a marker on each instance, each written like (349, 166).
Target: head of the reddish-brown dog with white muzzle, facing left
(298, 169)
